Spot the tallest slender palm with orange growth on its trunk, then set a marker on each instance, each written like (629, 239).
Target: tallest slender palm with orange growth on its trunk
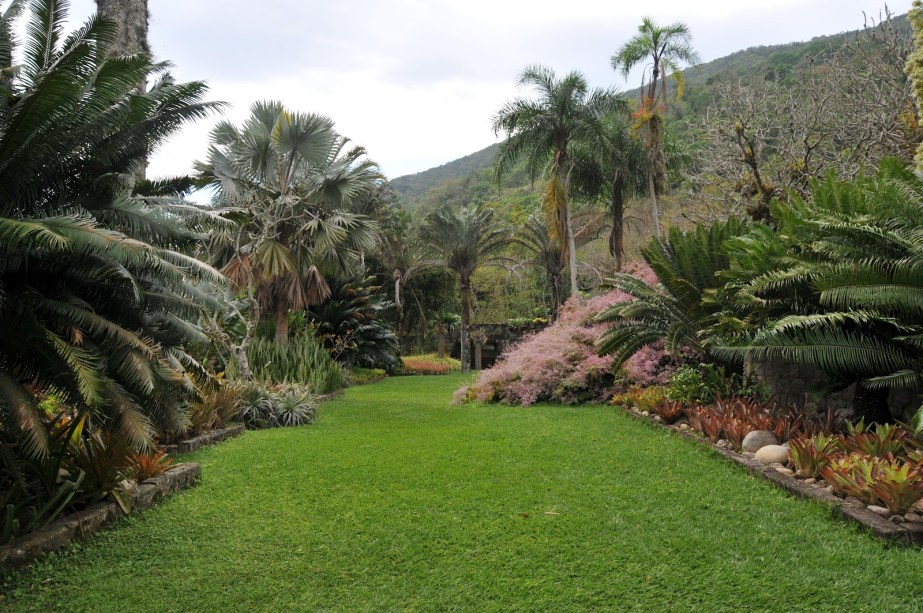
(666, 48)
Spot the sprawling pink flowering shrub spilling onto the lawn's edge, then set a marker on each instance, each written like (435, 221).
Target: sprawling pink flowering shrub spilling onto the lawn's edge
(560, 364)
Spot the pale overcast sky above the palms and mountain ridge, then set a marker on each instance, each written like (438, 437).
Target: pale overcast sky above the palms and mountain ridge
(417, 81)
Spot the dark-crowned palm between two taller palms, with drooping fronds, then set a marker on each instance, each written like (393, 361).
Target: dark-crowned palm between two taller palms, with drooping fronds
(611, 166)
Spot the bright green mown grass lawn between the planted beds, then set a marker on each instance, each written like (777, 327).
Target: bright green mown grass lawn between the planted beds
(397, 500)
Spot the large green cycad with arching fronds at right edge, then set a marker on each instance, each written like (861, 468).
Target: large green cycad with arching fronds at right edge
(842, 289)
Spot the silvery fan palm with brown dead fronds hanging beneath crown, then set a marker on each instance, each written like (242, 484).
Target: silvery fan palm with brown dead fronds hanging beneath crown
(291, 178)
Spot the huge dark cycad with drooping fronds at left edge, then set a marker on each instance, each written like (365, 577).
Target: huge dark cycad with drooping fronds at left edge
(96, 295)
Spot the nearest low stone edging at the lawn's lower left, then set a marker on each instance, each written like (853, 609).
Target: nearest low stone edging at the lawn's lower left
(27, 548)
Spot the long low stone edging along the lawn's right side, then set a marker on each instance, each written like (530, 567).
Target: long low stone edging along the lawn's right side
(903, 533)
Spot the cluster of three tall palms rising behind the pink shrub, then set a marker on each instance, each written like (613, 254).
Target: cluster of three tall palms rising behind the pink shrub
(585, 140)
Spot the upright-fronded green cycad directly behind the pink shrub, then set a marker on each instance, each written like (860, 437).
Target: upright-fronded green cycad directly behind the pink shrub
(682, 309)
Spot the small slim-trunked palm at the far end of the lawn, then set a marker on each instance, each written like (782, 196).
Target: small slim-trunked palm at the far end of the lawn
(464, 239)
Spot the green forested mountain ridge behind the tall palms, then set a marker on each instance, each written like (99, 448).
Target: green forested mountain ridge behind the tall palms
(470, 178)
